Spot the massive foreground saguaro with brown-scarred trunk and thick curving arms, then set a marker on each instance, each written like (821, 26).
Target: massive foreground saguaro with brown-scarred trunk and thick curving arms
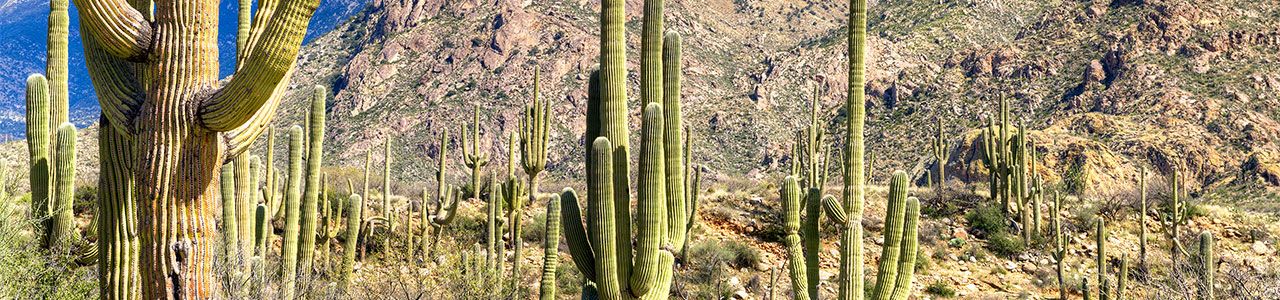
(162, 70)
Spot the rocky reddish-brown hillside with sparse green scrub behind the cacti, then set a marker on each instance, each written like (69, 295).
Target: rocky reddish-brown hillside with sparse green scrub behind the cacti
(1107, 87)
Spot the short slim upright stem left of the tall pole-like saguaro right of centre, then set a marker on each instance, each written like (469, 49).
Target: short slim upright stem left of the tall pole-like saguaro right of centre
(796, 253)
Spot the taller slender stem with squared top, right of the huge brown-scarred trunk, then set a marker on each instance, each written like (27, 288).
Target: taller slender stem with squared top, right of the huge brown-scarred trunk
(316, 156)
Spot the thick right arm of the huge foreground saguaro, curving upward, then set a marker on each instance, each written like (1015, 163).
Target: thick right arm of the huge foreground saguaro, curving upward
(269, 65)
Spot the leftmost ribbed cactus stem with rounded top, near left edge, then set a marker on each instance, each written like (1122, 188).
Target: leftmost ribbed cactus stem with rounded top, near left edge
(38, 148)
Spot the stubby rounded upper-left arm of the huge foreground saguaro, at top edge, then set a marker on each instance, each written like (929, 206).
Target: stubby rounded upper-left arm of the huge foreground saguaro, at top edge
(117, 28)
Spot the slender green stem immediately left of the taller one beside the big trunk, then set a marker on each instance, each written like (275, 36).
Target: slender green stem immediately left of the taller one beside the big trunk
(292, 215)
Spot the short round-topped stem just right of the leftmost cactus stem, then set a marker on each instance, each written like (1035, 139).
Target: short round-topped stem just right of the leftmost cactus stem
(63, 222)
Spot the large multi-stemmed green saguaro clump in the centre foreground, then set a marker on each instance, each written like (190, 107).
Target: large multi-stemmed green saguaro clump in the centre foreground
(662, 217)
